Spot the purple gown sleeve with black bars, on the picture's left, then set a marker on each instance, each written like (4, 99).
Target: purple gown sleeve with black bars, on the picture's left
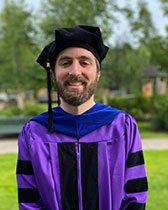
(28, 194)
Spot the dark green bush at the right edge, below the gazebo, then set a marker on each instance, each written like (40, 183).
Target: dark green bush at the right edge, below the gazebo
(160, 113)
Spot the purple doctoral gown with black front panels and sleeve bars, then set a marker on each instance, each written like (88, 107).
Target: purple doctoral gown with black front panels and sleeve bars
(101, 170)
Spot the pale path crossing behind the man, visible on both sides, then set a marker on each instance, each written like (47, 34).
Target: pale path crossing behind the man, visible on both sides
(9, 145)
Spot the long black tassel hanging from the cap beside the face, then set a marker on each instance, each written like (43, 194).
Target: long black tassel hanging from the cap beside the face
(50, 116)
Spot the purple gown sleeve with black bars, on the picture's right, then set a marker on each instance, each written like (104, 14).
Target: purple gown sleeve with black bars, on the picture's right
(135, 181)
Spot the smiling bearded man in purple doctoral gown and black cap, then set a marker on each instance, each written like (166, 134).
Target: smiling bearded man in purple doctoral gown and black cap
(91, 157)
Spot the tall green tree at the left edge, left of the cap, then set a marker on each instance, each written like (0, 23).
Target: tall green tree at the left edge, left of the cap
(18, 50)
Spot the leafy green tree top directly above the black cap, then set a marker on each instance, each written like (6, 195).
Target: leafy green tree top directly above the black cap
(66, 13)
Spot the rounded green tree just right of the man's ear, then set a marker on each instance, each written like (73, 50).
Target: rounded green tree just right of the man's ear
(124, 68)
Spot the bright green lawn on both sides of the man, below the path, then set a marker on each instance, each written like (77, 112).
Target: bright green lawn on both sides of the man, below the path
(156, 166)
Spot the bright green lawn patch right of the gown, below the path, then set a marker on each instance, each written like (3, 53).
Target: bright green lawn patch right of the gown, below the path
(157, 172)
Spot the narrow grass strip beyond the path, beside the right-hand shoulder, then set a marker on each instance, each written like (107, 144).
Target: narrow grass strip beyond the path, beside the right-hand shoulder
(146, 131)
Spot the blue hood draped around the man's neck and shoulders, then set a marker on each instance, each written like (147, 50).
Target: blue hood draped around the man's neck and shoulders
(79, 125)
